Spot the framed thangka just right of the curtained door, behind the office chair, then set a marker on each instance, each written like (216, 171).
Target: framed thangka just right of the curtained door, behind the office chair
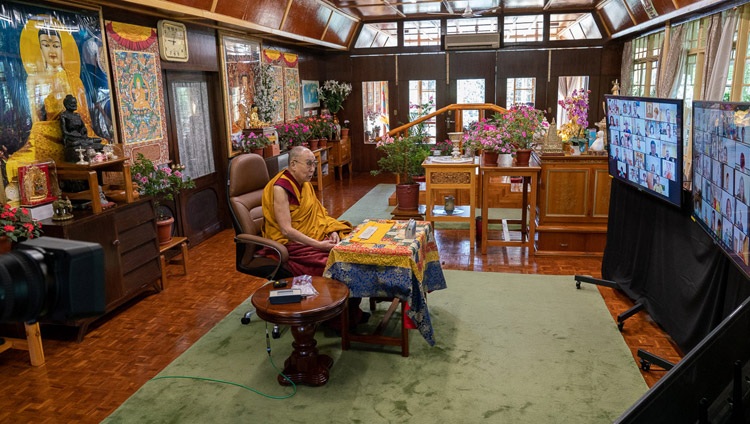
(239, 58)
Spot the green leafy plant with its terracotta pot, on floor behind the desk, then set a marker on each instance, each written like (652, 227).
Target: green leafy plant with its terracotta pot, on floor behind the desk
(403, 156)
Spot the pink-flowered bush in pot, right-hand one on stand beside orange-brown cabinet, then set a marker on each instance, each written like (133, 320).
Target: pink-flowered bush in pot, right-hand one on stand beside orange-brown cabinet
(521, 123)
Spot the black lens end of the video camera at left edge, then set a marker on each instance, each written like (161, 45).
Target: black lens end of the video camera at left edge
(23, 287)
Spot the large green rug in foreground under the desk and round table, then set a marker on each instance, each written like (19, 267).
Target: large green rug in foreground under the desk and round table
(511, 348)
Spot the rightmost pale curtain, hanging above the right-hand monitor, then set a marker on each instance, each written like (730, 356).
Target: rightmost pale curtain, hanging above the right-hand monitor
(720, 35)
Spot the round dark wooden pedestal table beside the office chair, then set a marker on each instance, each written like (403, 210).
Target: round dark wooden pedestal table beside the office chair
(304, 365)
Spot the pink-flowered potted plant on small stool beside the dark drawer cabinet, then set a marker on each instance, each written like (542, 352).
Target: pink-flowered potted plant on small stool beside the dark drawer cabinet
(163, 183)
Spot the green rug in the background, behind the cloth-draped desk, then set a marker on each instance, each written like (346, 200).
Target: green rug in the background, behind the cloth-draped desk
(374, 205)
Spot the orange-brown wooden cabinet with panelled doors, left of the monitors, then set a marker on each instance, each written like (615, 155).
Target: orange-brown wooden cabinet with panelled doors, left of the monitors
(573, 205)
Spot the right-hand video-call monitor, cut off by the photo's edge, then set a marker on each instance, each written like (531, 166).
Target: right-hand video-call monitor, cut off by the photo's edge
(721, 175)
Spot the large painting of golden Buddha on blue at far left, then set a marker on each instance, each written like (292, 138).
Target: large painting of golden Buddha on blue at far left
(49, 53)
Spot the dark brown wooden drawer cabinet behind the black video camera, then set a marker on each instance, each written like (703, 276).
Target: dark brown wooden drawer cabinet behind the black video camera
(127, 234)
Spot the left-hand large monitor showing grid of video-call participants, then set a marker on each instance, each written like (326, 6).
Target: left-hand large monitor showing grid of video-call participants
(645, 144)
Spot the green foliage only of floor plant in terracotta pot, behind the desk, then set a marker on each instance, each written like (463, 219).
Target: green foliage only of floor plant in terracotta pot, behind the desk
(403, 156)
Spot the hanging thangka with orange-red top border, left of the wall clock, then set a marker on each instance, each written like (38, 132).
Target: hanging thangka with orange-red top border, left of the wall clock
(134, 53)
